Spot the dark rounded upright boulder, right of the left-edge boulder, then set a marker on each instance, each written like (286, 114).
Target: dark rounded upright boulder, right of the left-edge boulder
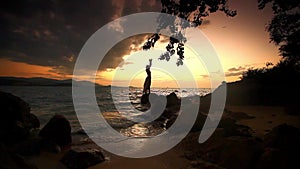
(57, 130)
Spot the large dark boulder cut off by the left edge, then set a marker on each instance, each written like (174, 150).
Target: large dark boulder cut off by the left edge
(16, 120)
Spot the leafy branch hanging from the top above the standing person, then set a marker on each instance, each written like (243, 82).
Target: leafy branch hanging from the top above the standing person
(193, 12)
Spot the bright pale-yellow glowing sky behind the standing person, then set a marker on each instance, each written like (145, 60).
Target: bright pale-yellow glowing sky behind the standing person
(164, 73)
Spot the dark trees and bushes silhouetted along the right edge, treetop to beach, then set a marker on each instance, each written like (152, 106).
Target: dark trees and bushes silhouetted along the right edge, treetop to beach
(279, 85)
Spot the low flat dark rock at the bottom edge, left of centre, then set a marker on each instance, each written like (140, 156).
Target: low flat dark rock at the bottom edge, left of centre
(82, 159)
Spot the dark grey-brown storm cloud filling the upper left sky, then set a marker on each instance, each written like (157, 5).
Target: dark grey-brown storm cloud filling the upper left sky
(52, 32)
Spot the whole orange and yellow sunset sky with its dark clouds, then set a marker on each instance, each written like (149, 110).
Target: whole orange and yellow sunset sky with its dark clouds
(44, 38)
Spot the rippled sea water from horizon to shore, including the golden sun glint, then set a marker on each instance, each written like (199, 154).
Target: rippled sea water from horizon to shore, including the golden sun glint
(45, 101)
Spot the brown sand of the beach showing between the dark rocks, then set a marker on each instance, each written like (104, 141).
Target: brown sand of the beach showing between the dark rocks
(263, 120)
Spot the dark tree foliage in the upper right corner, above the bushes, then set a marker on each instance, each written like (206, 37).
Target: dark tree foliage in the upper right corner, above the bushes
(284, 29)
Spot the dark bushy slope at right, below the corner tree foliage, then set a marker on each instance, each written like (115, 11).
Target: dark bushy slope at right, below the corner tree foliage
(278, 85)
